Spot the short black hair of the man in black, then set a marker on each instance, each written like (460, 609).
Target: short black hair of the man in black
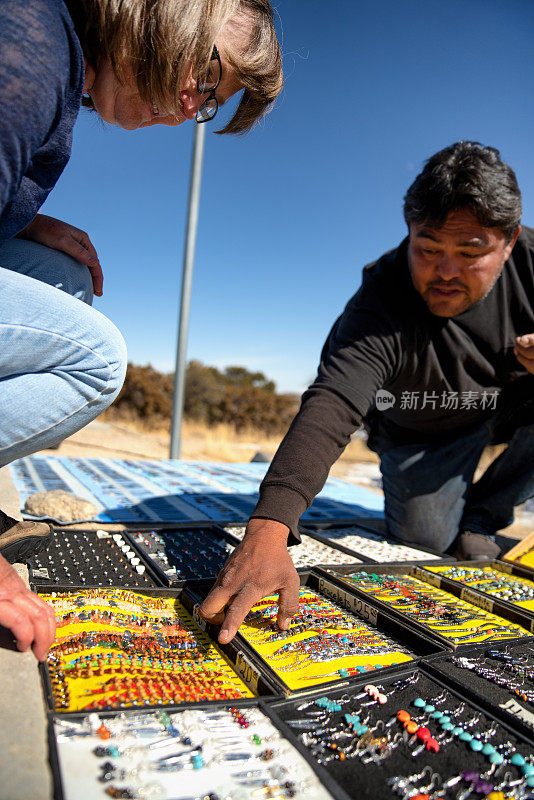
(465, 175)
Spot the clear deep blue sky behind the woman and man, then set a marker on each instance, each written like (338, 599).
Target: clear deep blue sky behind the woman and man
(290, 213)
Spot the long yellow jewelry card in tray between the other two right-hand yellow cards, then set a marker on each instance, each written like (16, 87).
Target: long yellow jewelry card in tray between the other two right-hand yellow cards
(439, 611)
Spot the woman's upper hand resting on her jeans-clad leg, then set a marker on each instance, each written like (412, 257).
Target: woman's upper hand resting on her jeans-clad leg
(61, 236)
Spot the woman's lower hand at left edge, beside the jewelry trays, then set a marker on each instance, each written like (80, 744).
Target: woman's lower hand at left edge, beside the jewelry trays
(31, 621)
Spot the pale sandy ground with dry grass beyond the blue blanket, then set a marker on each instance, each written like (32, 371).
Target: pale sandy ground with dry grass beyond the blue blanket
(108, 439)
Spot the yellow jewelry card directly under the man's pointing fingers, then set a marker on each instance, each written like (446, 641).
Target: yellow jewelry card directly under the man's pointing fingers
(324, 643)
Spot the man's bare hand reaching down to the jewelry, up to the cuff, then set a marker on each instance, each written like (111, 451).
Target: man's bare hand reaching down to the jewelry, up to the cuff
(259, 566)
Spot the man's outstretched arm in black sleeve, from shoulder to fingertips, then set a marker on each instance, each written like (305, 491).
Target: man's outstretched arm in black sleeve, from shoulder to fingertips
(360, 354)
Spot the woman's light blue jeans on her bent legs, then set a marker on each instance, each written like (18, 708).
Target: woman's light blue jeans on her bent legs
(61, 362)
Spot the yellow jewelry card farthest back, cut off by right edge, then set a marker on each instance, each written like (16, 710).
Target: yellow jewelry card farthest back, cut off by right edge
(517, 591)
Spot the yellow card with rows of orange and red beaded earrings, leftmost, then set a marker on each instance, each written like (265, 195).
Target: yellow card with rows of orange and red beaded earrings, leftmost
(117, 648)
